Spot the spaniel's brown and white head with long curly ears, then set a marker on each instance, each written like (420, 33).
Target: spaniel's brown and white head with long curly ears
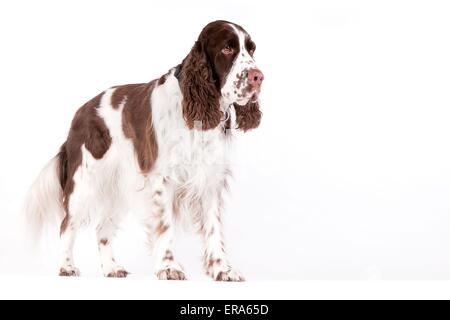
(220, 71)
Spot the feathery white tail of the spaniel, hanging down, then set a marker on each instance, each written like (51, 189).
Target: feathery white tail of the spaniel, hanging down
(44, 201)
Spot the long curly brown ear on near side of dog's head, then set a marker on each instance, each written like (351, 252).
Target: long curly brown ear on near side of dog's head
(201, 106)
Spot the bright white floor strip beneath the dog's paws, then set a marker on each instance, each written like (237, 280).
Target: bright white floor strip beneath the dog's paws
(52, 287)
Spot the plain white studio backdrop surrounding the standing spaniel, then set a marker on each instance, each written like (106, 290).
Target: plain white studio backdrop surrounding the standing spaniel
(348, 177)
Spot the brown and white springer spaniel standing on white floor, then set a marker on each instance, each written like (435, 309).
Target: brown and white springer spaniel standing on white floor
(159, 149)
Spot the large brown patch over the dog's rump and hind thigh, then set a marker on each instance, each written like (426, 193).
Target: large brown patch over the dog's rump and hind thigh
(88, 129)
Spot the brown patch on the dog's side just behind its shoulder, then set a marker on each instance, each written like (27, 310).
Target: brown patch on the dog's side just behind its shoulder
(137, 122)
